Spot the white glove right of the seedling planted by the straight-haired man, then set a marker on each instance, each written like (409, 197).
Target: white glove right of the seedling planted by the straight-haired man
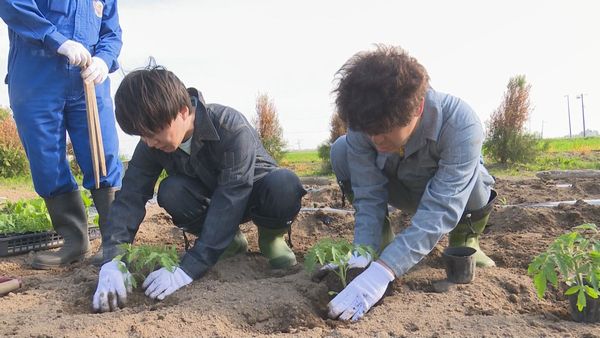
(162, 282)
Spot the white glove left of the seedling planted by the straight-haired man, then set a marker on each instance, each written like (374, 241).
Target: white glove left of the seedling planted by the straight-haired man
(113, 286)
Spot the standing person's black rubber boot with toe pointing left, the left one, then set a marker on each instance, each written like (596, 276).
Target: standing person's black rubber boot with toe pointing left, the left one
(69, 220)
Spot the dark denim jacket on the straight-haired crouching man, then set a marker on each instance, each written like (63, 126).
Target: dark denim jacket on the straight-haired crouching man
(226, 156)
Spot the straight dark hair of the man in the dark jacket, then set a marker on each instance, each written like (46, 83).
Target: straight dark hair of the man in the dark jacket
(149, 99)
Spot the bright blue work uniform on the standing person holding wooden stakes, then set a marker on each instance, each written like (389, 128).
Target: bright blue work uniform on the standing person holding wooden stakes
(46, 92)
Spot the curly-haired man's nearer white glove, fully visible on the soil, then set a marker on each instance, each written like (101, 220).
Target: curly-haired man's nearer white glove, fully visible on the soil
(361, 294)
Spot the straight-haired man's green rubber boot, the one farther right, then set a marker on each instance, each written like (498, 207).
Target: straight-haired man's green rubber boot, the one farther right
(273, 246)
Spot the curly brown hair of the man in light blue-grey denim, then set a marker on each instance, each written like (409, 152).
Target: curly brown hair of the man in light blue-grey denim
(379, 90)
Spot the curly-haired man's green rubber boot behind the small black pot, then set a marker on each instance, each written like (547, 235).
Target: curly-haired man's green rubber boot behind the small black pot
(469, 230)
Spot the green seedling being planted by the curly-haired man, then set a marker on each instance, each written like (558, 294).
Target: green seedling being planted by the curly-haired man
(337, 252)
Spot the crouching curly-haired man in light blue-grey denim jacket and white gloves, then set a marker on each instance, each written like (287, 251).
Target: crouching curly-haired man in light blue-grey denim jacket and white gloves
(416, 149)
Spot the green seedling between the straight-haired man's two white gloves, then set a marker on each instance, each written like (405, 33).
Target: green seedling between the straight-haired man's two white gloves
(141, 260)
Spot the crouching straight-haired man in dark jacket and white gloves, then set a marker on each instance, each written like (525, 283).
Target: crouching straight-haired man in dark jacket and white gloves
(219, 175)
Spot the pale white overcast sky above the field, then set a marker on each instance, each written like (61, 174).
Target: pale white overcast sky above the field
(291, 50)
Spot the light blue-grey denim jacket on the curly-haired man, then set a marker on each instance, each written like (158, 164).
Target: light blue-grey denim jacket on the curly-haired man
(441, 163)
